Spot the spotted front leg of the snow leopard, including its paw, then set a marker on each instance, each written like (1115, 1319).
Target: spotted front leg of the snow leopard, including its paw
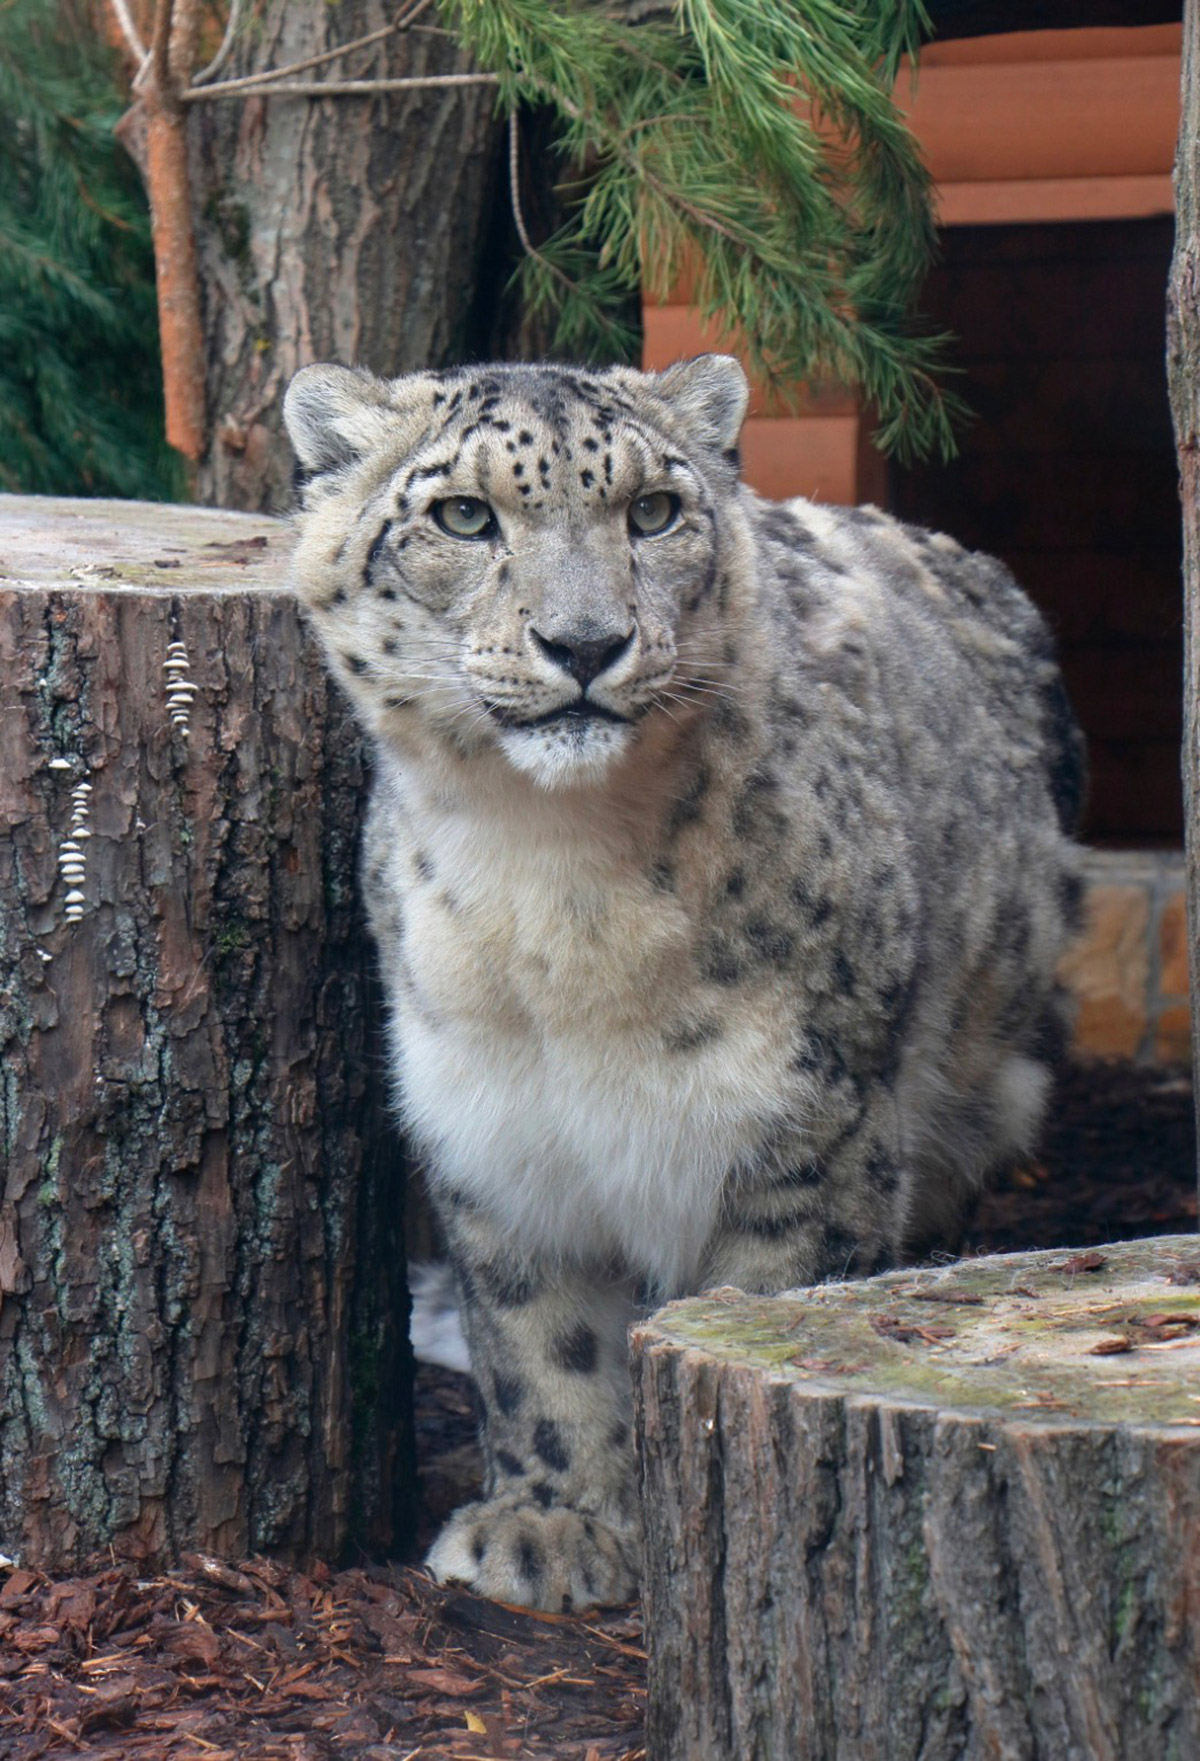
(559, 1521)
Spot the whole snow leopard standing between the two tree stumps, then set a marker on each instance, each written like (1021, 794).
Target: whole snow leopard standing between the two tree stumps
(720, 858)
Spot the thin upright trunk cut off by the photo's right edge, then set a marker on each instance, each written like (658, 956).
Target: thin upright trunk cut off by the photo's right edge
(1183, 378)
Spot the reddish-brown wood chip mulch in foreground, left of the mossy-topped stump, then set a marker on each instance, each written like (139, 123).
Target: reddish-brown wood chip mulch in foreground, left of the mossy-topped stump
(260, 1663)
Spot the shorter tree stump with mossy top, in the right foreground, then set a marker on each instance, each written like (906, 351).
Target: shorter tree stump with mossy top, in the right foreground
(933, 1515)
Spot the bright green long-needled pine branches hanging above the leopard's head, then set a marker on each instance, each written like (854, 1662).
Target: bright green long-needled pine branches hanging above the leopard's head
(753, 145)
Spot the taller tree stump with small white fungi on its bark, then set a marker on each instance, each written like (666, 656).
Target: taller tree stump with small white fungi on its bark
(202, 1272)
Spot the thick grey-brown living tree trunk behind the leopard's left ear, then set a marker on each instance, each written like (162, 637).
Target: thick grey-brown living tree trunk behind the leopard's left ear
(352, 230)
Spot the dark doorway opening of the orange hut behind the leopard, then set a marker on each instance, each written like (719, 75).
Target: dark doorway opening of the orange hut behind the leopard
(1069, 475)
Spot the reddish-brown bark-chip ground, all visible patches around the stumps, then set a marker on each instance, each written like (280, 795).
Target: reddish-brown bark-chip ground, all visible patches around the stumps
(376, 1663)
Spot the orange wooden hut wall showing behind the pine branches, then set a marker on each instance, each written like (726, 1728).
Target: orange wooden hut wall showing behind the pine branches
(1030, 126)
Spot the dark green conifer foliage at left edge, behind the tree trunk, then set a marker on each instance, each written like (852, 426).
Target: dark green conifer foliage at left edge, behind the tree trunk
(80, 381)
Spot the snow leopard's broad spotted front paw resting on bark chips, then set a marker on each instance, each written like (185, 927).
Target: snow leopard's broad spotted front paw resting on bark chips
(556, 1559)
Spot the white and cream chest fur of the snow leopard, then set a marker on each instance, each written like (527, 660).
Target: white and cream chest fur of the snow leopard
(540, 1036)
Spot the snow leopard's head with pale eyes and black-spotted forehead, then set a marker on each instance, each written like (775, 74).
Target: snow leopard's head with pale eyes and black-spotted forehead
(533, 557)
